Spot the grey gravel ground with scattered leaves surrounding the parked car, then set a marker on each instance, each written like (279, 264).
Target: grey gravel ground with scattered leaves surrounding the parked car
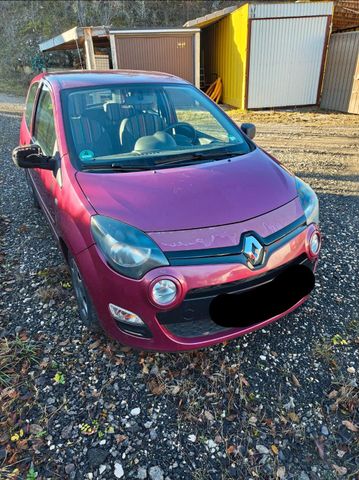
(280, 403)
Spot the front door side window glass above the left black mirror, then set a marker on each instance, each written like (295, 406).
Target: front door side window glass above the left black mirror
(44, 128)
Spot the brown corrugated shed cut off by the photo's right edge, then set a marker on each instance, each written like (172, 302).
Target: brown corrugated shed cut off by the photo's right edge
(341, 80)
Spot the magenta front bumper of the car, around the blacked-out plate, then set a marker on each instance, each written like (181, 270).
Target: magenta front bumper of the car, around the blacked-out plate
(186, 324)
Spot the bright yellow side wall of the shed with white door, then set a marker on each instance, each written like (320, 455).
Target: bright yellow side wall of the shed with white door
(225, 54)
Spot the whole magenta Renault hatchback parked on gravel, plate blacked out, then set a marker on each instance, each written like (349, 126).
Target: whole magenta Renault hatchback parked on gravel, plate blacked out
(178, 230)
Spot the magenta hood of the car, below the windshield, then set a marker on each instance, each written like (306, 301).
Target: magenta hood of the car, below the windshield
(202, 195)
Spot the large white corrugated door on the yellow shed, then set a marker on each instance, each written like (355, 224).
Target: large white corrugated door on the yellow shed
(285, 61)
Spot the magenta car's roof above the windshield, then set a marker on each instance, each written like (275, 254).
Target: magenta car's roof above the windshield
(86, 78)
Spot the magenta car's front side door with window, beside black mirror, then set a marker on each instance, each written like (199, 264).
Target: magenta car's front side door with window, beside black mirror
(44, 135)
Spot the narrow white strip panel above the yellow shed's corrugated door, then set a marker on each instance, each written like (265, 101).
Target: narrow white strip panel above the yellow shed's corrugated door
(272, 10)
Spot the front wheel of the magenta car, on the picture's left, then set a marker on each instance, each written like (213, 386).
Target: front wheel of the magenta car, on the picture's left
(87, 310)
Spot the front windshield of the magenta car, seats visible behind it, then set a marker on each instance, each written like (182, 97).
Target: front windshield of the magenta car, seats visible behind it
(145, 126)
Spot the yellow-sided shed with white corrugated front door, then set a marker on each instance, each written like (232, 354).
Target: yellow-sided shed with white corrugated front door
(267, 54)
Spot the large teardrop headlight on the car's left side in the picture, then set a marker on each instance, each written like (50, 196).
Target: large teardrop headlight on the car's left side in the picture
(127, 250)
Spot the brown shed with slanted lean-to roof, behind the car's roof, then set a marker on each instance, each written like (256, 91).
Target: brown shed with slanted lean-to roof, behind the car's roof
(170, 50)
